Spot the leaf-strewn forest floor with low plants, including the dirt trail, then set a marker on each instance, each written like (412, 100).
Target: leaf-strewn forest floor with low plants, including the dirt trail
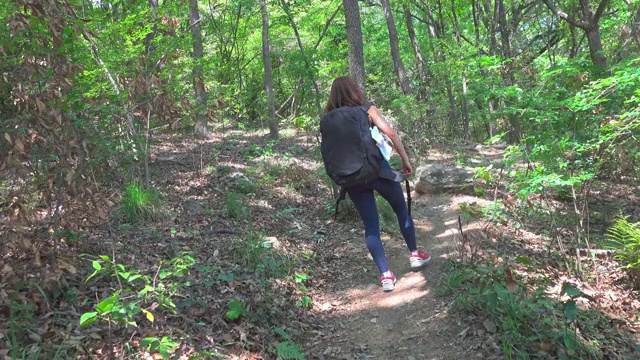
(255, 268)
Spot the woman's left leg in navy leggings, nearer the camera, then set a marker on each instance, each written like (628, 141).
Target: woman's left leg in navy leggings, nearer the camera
(366, 205)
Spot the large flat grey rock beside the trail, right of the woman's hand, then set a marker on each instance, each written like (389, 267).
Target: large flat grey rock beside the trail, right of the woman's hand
(439, 178)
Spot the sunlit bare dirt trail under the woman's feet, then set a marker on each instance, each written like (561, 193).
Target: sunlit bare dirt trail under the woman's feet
(412, 322)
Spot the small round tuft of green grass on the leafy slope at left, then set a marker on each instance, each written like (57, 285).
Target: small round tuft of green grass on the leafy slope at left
(139, 204)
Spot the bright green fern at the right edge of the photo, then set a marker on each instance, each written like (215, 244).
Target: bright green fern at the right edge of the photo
(625, 241)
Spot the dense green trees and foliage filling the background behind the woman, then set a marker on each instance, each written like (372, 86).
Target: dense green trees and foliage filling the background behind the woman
(88, 89)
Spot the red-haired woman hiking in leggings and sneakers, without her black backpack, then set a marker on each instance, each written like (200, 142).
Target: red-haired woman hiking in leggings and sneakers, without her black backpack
(345, 92)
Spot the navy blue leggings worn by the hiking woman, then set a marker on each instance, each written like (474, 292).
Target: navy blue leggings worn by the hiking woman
(364, 201)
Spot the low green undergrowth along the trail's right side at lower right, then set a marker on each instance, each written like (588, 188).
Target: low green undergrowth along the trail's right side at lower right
(522, 319)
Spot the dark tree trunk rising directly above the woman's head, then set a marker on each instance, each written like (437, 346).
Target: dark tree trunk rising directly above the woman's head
(354, 36)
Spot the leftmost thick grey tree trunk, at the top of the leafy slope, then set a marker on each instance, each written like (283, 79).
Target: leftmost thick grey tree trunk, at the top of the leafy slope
(202, 122)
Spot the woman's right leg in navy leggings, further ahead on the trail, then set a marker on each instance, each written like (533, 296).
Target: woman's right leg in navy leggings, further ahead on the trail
(392, 192)
